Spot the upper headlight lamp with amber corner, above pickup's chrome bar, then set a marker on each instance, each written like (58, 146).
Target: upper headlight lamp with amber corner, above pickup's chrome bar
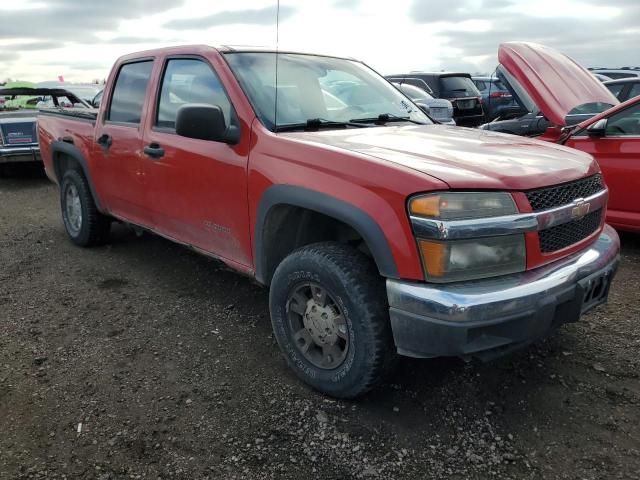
(462, 205)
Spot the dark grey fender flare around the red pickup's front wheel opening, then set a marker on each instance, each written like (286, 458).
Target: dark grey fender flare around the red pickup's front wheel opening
(319, 202)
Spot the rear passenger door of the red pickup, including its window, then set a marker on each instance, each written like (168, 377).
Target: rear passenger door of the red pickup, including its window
(118, 161)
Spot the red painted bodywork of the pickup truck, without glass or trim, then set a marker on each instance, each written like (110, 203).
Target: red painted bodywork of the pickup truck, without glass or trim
(207, 194)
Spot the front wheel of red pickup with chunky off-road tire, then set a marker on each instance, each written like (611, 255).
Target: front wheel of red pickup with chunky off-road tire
(331, 319)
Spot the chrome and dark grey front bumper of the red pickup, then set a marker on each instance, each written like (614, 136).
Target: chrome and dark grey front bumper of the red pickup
(488, 318)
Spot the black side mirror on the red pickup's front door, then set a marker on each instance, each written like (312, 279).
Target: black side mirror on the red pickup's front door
(205, 122)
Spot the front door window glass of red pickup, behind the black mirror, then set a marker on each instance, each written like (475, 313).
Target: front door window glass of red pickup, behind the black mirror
(188, 80)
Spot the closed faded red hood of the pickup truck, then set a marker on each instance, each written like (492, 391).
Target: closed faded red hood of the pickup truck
(462, 157)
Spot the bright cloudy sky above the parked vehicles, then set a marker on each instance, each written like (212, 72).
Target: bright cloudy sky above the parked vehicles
(80, 39)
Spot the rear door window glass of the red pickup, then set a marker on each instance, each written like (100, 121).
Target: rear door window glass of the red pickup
(129, 92)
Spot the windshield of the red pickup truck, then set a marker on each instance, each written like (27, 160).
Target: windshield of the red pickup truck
(314, 87)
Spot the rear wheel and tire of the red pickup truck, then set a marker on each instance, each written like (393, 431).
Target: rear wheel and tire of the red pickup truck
(84, 224)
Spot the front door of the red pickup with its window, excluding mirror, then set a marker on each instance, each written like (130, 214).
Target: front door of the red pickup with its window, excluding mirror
(198, 187)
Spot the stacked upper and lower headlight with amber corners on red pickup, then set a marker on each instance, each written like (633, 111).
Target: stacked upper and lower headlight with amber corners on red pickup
(473, 258)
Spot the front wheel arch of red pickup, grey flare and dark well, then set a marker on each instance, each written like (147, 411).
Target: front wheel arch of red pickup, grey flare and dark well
(292, 210)
